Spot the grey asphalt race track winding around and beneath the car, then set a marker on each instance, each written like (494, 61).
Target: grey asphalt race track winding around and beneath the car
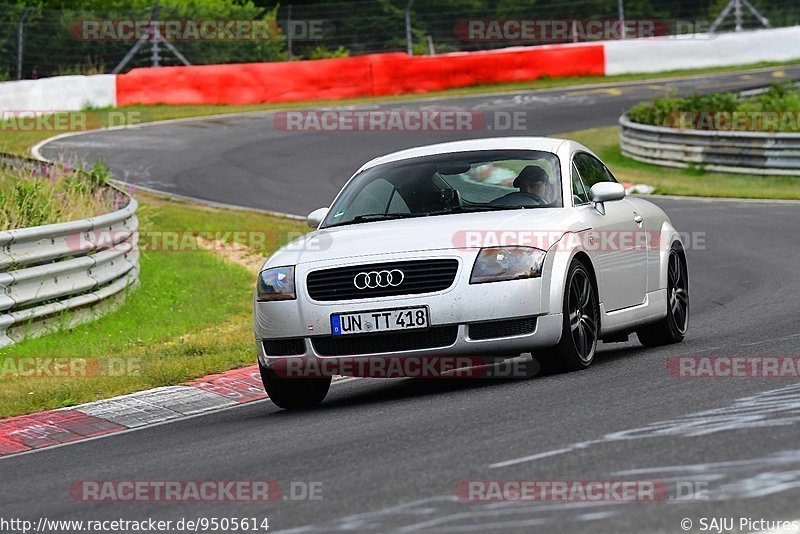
(389, 453)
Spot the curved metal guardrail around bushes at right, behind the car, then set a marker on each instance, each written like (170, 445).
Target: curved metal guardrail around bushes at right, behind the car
(726, 151)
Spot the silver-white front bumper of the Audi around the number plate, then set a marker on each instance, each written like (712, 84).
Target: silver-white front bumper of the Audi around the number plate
(305, 322)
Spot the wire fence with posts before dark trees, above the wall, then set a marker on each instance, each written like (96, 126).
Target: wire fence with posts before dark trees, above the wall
(37, 42)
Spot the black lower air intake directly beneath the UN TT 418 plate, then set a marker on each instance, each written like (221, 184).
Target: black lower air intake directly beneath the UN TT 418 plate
(437, 336)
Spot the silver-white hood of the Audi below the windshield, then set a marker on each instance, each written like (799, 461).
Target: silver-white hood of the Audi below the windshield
(531, 227)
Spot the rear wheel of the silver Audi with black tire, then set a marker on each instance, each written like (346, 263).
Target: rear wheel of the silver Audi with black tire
(672, 328)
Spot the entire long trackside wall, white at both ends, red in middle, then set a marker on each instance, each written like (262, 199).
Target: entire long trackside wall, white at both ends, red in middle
(394, 74)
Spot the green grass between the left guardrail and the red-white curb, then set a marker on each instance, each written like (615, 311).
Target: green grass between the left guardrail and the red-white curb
(189, 317)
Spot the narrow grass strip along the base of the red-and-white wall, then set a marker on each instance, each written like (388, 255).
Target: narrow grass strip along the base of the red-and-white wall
(18, 140)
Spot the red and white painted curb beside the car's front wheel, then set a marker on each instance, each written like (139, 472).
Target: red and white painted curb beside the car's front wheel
(26, 433)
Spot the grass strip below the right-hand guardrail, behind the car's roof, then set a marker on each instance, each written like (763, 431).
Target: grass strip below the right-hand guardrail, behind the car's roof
(689, 182)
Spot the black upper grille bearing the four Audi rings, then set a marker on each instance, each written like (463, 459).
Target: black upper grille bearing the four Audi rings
(420, 276)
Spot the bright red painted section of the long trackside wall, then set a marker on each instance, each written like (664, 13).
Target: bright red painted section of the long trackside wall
(334, 79)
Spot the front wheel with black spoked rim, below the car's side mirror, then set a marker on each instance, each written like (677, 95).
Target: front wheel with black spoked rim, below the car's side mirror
(575, 351)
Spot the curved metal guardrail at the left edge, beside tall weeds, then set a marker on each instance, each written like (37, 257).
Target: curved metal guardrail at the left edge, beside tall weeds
(77, 266)
